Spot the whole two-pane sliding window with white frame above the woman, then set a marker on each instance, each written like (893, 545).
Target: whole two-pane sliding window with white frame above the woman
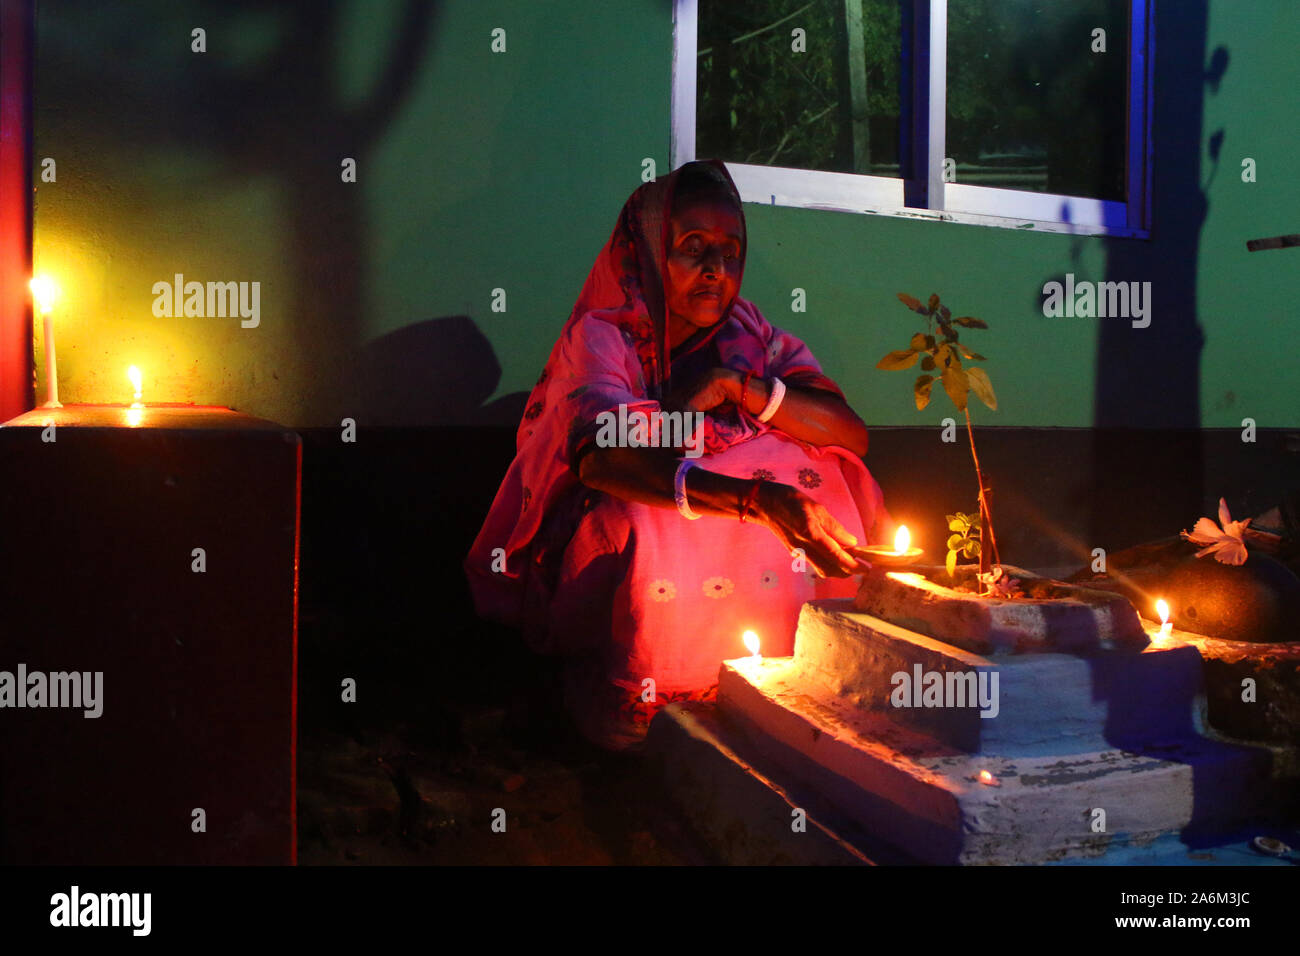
(1020, 114)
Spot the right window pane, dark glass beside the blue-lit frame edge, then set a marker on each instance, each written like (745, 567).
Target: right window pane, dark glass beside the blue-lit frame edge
(1032, 106)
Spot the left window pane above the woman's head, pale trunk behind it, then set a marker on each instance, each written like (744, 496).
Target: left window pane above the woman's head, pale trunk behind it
(761, 102)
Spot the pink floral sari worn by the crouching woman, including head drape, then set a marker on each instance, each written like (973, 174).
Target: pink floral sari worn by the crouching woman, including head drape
(648, 603)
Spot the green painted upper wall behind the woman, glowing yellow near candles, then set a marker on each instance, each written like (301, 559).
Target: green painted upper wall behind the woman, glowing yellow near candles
(482, 171)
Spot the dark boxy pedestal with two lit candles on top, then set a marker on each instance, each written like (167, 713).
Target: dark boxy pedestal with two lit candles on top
(98, 531)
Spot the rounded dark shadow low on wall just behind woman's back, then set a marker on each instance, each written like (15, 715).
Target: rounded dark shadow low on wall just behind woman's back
(436, 373)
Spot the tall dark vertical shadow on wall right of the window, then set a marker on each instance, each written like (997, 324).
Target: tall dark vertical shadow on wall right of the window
(1150, 378)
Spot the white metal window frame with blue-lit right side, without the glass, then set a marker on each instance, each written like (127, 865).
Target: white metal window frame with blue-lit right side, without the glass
(921, 193)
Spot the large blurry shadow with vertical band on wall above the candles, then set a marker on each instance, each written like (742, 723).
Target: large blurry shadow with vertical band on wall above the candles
(275, 114)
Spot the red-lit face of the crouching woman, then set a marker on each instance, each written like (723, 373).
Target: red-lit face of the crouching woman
(704, 266)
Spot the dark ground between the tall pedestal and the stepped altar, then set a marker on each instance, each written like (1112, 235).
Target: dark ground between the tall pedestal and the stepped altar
(414, 772)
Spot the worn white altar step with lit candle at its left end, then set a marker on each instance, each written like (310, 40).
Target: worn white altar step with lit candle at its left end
(928, 799)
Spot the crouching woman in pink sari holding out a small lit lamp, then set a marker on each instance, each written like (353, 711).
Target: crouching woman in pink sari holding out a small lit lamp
(593, 548)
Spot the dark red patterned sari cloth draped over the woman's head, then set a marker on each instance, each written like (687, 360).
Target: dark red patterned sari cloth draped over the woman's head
(631, 274)
